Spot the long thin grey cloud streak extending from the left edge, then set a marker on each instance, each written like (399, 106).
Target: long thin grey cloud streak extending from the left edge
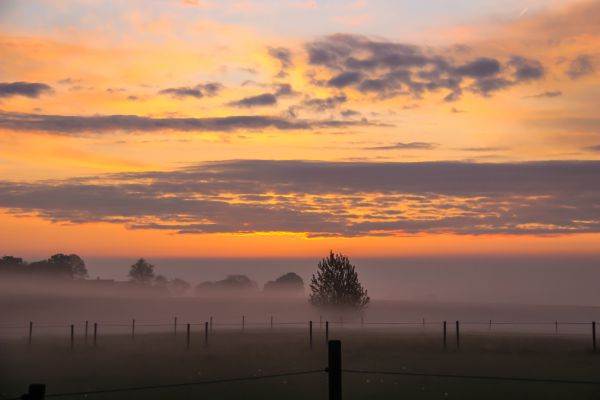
(80, 125)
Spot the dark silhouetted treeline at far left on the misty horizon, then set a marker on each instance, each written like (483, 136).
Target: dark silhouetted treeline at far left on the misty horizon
(65, 266)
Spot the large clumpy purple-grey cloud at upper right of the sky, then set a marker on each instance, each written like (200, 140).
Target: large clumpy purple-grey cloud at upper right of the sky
(394, 69)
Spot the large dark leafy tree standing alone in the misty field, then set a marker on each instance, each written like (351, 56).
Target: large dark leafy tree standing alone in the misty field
(336, 284)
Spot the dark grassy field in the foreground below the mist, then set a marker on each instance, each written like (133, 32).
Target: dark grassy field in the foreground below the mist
(119, 361)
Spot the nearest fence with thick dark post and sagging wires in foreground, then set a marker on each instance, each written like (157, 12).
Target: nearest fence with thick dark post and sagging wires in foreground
(334, 370)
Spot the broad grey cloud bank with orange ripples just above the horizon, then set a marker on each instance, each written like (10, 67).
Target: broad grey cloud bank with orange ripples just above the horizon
(328, 198)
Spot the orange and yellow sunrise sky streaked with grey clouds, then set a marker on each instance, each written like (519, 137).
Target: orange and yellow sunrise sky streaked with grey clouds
(202, 128)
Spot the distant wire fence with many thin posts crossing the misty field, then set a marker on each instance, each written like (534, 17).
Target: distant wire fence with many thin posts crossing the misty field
(208, 327)
